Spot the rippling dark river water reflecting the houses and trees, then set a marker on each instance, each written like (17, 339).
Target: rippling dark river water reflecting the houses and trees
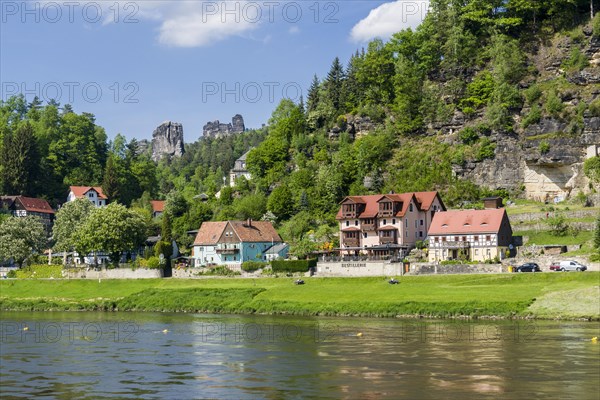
(185, 356)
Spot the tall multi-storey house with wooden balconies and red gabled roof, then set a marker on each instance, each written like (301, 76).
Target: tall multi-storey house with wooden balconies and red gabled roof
(386, 224)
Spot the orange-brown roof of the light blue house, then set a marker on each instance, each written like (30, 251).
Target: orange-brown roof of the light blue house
(257, 231)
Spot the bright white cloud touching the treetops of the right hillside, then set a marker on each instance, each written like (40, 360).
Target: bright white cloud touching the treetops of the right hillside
(388, 19)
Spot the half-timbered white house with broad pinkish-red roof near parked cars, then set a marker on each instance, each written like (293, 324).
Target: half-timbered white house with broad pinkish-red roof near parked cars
(474, 235)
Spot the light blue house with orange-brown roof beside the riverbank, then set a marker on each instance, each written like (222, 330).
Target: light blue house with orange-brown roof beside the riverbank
(233, 242)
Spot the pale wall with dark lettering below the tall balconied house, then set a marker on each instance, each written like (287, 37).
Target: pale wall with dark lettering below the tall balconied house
(359, 268)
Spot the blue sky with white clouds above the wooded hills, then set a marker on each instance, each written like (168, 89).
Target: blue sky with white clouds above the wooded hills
(136, 64)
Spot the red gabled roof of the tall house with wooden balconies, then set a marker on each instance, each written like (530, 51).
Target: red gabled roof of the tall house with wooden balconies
(423, 200)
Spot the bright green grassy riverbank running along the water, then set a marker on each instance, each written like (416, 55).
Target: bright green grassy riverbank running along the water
(546, 295)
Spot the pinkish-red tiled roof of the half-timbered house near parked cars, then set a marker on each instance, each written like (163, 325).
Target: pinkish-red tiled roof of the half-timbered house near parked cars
(468, 221)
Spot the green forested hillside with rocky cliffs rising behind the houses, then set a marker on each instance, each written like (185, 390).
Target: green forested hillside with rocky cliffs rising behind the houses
(479, 94)
